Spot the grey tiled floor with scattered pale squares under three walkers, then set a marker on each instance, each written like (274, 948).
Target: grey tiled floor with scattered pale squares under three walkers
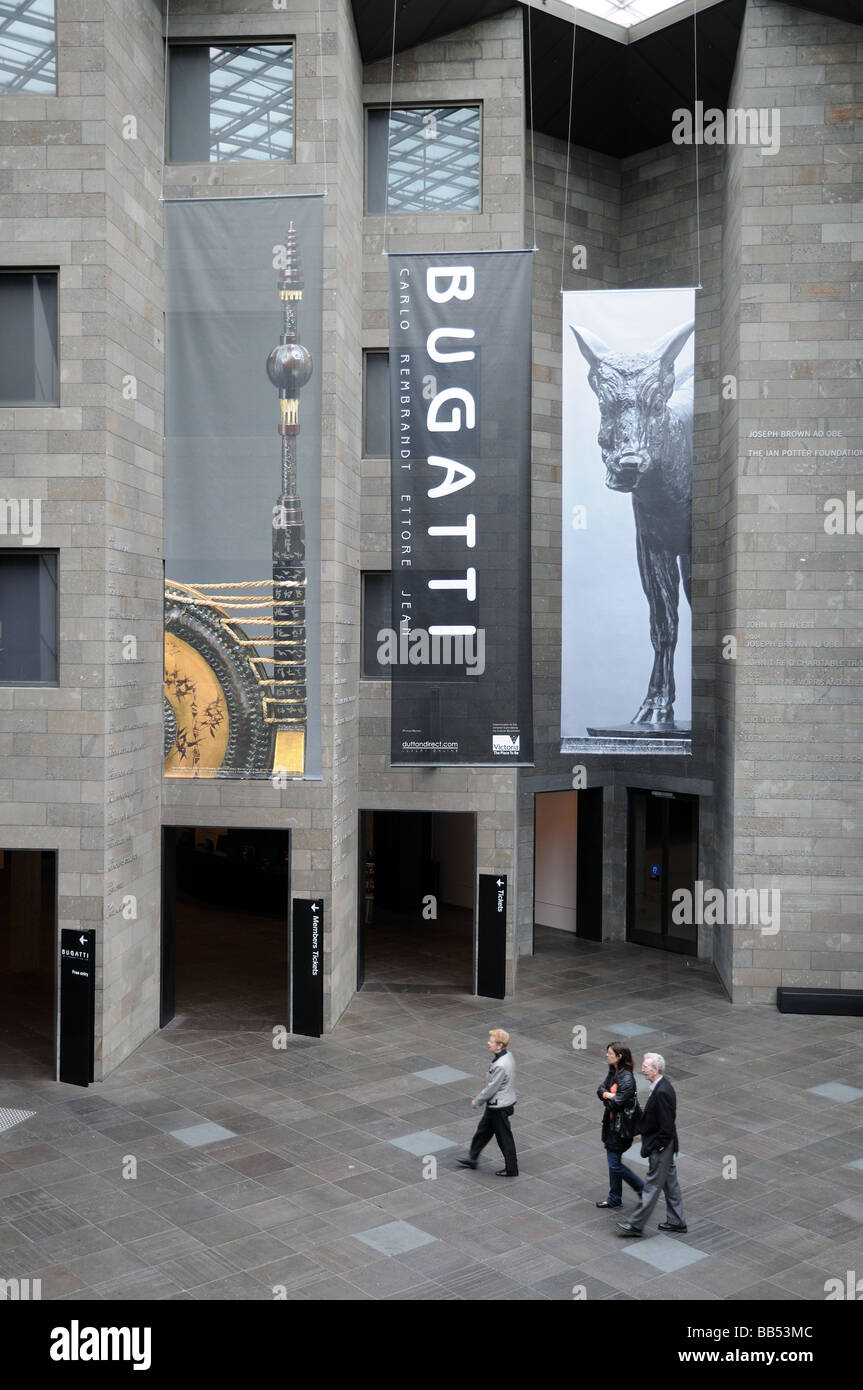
(329, 1170)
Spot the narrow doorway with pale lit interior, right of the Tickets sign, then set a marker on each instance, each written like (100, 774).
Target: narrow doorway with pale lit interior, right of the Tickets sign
(568, 865)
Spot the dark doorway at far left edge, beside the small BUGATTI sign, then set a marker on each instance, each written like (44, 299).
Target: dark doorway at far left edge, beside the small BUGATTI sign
(28, 961)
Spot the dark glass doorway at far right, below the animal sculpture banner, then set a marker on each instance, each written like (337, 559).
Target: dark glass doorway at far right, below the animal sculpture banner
(662, 858)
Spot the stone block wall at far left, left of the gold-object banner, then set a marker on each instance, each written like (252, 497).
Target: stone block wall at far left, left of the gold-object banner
(80, 767)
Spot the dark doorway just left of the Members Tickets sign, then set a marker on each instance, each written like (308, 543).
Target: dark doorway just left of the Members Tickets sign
(226, 911)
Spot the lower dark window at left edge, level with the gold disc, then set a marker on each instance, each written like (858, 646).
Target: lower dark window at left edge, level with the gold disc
(28, 615)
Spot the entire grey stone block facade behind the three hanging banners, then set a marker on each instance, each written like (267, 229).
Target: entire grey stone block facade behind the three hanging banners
(776, 733)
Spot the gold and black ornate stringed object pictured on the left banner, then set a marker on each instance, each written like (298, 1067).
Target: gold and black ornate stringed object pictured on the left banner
(231, 710)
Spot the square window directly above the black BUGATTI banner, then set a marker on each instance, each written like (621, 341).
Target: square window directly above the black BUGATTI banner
(434, 161)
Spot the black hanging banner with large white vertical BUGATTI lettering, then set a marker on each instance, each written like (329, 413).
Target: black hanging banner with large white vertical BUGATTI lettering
(459, 644)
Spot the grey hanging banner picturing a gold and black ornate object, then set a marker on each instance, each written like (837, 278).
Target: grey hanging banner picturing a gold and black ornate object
(244, 487)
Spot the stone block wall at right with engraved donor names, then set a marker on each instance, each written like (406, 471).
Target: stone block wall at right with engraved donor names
(794, 443)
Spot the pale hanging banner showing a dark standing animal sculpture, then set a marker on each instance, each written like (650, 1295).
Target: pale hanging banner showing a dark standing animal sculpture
(627, 507)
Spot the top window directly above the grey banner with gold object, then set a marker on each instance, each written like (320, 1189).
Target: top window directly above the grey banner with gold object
(231, 104)
